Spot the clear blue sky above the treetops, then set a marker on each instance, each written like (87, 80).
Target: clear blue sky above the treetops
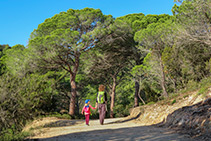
(18, 18)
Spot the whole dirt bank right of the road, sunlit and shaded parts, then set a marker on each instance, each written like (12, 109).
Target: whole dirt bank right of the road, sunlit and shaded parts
(190, 114)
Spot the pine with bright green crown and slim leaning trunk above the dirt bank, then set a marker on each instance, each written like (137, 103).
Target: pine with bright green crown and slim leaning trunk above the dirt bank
(155, 38)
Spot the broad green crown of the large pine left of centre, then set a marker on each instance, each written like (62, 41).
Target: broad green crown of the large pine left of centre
(60, 41)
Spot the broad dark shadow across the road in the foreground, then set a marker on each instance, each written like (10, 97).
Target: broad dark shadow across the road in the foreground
(149, 133)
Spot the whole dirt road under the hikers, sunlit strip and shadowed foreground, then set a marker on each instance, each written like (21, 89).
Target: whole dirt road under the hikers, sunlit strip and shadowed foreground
(113, 130)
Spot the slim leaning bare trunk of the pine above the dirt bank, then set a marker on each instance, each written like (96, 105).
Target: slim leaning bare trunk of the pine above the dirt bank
(163, 79)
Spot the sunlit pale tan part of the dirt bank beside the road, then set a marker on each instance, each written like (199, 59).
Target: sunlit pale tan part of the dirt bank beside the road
(158, 112)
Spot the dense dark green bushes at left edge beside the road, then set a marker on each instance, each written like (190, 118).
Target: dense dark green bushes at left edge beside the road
(24, 99)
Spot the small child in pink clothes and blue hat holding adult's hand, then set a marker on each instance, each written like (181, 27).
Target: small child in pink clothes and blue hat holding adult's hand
(86, 110)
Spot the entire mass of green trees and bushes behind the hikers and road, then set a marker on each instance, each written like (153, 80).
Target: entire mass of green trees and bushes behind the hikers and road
(141, 59)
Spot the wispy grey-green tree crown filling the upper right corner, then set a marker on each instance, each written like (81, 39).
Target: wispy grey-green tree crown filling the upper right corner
(194, 18)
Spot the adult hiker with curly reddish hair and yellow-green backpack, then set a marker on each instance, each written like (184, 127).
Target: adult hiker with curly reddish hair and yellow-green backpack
(101, 103)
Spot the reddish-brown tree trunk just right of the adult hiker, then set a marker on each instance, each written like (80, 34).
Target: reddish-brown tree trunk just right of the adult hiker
(113, 92)
